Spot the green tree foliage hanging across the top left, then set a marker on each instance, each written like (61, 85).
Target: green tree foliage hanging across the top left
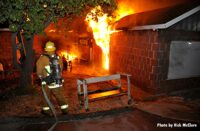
(32, 16)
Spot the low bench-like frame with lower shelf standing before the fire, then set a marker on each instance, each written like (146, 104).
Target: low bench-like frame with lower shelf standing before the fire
(83, 93)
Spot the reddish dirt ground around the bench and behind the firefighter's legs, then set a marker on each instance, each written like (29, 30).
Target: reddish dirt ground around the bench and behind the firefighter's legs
(28, 105)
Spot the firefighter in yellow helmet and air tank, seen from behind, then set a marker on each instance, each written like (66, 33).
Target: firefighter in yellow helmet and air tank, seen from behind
(49, 69)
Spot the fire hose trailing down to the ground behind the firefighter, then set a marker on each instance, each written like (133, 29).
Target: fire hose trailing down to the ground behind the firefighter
(51, 107)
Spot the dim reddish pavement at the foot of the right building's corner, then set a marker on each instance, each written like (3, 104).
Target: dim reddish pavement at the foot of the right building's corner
(173, 108)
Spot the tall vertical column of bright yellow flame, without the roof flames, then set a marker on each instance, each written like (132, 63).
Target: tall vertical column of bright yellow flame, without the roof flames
(98, 21)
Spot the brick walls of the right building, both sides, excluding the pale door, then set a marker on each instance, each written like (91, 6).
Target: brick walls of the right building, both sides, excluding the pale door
(145, 55)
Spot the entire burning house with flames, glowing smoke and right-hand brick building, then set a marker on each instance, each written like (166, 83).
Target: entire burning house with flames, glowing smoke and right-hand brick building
(159, 48)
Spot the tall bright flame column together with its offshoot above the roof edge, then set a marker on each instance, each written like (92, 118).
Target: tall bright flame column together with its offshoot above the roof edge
(100, 23)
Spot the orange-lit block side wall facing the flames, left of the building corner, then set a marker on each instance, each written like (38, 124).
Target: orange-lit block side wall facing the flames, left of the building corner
(136, 52)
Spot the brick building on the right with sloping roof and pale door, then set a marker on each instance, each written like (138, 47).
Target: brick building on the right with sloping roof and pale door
(159, 48)
